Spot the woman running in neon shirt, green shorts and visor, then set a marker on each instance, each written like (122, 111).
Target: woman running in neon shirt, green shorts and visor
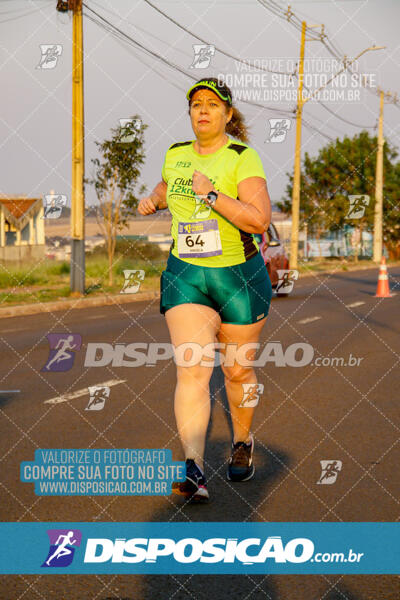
(216, 287)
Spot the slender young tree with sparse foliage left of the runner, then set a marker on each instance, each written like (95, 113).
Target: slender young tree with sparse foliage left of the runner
(115, 179)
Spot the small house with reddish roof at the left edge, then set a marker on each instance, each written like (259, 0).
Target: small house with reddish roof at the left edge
(21, 228)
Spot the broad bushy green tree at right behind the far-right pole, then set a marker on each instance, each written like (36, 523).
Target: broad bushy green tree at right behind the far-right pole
(343, 168)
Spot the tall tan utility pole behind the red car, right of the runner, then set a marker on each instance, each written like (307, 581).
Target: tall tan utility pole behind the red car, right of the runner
(294, 240)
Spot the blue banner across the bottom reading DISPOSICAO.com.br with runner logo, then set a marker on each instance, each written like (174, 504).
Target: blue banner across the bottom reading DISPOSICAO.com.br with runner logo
(200, 548)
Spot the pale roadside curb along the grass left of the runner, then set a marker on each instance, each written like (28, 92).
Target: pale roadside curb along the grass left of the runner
(75, 303)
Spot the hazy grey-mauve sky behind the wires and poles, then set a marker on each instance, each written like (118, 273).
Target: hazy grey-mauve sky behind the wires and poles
(121, 81)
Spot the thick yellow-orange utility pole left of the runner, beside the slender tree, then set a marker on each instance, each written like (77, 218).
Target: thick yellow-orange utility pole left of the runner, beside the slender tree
(77, 281)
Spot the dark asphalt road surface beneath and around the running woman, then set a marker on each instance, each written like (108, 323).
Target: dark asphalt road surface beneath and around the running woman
(307, 414)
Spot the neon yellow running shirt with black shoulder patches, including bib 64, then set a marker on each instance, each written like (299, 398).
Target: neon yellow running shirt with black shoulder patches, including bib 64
(201, 236)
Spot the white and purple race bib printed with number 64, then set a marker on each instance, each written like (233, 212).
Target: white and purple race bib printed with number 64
(199, 239)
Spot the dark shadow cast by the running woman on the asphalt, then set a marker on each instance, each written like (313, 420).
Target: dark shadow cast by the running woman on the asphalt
(229, 502)
